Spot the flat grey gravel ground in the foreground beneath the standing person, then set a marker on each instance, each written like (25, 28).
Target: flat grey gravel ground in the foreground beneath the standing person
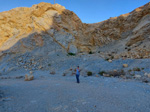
(55, 93)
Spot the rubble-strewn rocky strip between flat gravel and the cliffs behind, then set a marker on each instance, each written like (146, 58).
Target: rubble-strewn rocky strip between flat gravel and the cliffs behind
(90, 64)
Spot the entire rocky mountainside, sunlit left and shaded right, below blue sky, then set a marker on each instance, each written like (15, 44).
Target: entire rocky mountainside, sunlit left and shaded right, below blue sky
(52, 27)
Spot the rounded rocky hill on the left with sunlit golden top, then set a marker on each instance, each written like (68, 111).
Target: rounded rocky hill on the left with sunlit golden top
(23, 29)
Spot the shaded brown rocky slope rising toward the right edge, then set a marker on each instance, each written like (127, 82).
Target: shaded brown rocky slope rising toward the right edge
(128, 34)
